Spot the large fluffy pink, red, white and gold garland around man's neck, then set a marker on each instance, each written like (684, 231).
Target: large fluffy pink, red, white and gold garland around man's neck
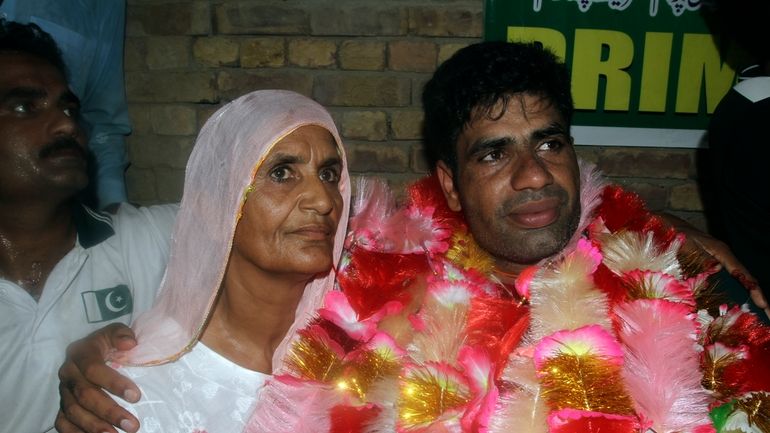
(614, 335)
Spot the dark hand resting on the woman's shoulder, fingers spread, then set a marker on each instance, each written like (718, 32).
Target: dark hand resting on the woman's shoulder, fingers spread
(84, 377)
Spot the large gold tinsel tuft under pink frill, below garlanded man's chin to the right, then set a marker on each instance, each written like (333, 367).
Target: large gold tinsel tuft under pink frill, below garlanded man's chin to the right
(586, 383)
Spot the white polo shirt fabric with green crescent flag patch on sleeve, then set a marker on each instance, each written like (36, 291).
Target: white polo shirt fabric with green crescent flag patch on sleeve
(34, 335)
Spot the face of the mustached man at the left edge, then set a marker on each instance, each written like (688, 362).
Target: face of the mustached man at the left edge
(42, 149)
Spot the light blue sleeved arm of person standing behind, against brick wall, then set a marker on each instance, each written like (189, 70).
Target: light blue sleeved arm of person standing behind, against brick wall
(104, 108)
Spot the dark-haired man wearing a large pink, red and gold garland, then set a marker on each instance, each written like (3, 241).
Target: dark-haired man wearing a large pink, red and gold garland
(577, 312)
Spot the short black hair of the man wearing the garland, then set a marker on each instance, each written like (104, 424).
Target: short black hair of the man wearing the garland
(476, 78)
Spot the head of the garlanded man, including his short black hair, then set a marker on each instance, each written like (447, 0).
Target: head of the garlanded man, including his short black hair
(512, 169)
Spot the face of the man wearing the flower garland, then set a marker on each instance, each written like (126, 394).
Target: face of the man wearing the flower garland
(517, 182)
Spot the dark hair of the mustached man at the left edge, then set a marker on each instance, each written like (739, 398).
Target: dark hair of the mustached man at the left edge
(30, 39)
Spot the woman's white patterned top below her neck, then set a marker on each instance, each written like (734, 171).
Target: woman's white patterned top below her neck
(201, 392)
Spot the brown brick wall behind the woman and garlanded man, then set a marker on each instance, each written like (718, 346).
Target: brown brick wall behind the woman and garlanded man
(365, 60)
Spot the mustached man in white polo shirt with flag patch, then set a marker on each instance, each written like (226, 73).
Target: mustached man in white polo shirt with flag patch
(65, 270)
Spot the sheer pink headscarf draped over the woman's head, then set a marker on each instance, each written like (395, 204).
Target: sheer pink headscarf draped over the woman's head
(229, 150)
